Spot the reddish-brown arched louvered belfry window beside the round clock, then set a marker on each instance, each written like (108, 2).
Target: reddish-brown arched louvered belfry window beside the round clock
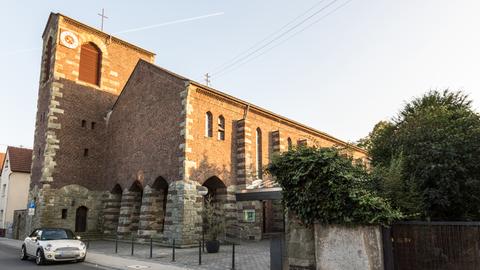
(90, 58)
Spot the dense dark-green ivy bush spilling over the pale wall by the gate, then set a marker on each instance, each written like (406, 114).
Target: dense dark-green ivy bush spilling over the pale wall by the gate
(323, 185)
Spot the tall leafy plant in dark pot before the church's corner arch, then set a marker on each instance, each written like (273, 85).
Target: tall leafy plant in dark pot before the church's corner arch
(214, 225)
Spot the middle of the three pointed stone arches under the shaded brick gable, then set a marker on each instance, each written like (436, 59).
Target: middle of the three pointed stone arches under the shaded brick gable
(130, 206)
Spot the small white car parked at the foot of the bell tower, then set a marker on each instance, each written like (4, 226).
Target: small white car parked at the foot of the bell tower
(53, 244)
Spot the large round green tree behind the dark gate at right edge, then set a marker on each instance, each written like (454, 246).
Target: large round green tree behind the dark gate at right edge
(427, 159)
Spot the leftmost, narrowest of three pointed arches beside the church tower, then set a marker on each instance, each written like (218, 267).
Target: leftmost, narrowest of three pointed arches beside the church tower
(111, 209)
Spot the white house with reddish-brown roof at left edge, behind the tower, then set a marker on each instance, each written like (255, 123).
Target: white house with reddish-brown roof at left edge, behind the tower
(14, 183)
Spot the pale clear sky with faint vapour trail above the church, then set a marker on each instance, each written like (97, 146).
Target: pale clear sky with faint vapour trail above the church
(356, 66)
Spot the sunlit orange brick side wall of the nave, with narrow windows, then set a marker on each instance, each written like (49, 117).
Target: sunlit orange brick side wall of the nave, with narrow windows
(234, 159)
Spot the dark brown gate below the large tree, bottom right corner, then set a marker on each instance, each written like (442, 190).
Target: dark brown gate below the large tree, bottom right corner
(433, 246)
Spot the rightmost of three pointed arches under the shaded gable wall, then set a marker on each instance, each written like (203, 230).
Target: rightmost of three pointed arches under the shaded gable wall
(154, 205)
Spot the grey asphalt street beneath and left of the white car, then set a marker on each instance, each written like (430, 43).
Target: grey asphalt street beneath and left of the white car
(10, 260)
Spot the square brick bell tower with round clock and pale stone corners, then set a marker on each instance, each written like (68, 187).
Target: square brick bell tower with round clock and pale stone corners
(83, 71)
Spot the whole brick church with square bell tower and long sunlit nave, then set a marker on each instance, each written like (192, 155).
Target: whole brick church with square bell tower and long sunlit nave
(122, 145)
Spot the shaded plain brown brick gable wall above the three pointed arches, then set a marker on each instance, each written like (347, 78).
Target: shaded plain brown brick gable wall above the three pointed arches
(144, 129)
